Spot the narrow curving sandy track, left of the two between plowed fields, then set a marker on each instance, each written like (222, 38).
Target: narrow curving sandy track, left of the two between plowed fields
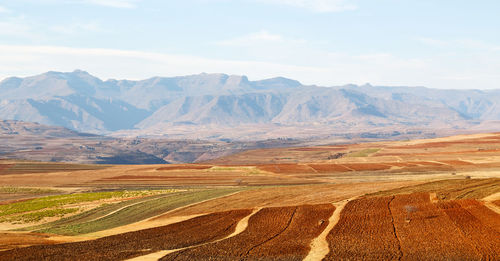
(240, 227)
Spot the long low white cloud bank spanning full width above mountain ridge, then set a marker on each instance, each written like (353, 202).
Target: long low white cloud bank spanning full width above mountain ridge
(326, 69)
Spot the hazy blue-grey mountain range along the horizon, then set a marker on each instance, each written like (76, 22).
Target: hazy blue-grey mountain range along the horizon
(181, 105)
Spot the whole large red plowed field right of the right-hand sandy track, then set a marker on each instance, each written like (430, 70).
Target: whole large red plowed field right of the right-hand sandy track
(411, 227)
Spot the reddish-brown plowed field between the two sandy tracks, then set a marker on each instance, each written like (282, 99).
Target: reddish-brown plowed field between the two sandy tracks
(272, 233)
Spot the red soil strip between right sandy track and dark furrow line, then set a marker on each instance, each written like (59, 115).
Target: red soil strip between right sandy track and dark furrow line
(365, 231)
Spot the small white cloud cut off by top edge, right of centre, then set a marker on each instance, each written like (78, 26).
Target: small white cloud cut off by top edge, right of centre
(320, 6)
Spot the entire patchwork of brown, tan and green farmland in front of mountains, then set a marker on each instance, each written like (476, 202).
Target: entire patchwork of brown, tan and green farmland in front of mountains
(424, 199)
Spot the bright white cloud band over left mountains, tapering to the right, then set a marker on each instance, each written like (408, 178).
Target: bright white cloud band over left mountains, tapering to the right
(111, 63)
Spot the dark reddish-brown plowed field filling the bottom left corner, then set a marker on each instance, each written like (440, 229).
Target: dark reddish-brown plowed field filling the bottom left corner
(128, 245)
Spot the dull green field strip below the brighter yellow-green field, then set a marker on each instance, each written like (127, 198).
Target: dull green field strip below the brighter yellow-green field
(110, 216)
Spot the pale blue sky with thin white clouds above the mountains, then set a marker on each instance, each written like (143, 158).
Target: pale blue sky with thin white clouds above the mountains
(449, 44)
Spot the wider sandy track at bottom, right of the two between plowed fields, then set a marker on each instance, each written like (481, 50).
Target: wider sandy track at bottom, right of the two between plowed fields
(319, 245)
